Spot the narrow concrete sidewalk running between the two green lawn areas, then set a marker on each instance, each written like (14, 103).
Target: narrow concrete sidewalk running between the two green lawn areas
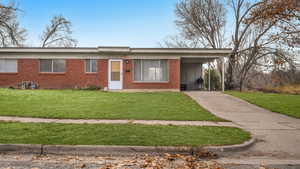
(84, 121)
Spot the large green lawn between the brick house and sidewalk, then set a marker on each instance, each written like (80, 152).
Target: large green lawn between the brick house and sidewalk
(78, 104)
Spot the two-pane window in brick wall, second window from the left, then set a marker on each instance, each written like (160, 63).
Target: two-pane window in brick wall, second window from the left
(52, 65)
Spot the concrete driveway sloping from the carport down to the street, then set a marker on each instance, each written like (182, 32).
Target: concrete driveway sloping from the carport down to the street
(278, 135)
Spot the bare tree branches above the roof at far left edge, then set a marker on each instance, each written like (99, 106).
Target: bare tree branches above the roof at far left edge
(10, 32)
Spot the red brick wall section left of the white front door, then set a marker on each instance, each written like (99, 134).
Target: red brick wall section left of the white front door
(75, 76)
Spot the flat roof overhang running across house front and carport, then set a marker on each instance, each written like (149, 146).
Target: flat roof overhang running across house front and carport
(127, 51)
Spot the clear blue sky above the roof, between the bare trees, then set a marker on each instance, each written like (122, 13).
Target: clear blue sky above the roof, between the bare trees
(134, 23)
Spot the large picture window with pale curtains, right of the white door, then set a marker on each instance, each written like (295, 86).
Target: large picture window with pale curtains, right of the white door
(151, 70)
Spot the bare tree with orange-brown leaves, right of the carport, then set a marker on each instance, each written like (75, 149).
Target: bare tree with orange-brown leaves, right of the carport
(258, 28)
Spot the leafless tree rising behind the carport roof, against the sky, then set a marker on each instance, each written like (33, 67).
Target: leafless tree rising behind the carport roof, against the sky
(201, 24)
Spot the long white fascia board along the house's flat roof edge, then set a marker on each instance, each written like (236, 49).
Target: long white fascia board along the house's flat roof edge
(110, 52)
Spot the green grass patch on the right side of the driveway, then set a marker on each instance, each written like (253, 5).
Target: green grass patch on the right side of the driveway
(287, 104)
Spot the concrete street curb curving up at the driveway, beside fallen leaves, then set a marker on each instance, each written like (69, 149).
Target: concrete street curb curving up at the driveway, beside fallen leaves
(116, 150)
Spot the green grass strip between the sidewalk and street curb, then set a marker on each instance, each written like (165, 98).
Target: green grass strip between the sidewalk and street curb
(118, 134)
